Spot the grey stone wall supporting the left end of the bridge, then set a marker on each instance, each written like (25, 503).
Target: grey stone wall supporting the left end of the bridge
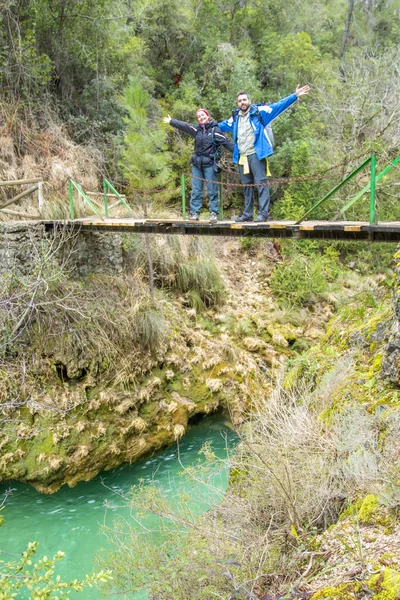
(82, 252)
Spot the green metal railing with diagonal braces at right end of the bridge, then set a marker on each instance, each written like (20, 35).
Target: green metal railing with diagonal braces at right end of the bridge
(371, 187)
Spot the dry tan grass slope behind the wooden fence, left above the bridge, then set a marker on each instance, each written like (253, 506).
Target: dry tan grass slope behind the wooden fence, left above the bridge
(46, 151)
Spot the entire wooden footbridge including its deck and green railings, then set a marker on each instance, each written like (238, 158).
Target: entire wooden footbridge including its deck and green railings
(370, 231)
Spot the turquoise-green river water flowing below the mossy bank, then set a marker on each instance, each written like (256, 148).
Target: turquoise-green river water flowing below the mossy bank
(70, 520)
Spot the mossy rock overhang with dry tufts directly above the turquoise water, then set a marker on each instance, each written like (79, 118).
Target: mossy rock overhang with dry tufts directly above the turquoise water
(69, 431)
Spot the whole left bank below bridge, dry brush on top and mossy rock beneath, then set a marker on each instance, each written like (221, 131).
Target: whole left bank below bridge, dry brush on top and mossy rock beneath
(94, 373)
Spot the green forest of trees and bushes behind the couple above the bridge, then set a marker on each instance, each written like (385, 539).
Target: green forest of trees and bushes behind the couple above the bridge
(111, 69)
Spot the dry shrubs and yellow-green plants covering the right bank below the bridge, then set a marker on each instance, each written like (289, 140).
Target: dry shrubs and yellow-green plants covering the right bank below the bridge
(314, 480)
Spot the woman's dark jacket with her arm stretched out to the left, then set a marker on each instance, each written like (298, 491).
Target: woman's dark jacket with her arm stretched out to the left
(207, 139)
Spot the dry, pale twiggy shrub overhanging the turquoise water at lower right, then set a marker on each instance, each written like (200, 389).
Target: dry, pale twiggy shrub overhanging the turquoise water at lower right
(290, 477)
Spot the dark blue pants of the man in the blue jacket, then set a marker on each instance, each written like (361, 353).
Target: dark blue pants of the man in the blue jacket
(257, 174)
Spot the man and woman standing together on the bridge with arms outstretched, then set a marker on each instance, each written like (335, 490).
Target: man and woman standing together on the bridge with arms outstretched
(250, 125)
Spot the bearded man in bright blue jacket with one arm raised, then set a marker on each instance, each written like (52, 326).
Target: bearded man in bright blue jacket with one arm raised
(252, 146)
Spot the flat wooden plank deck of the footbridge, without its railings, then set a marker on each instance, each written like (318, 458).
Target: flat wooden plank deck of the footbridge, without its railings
(325, 230)
